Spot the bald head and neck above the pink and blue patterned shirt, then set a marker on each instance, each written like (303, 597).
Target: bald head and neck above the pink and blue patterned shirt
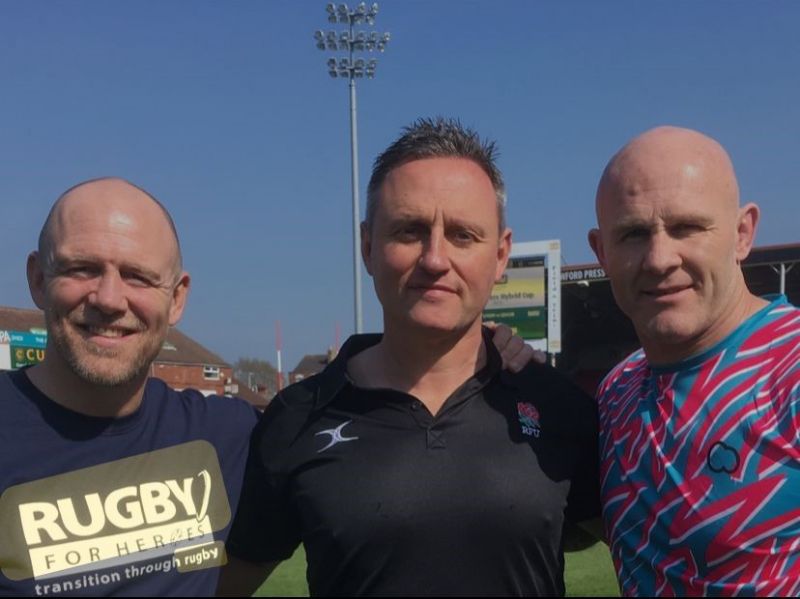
(671, 239)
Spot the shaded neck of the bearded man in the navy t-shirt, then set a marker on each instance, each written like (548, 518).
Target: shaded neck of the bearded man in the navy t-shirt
(60, 384)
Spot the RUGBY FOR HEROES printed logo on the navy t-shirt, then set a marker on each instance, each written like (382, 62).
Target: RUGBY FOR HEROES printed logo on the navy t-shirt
(162, 504)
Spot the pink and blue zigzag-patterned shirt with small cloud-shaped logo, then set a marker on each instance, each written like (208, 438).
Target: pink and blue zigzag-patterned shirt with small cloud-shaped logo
(700, 465)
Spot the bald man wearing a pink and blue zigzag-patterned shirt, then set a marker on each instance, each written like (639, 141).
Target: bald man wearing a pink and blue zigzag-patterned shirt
(698, 429)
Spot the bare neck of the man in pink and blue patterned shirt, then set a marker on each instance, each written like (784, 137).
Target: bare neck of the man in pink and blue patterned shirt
(742, 306)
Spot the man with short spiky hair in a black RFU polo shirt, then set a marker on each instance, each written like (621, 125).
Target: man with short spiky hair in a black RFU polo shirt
(413, 464)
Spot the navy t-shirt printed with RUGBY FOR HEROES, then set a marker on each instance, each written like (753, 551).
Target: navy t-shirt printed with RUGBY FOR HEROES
(139, 505)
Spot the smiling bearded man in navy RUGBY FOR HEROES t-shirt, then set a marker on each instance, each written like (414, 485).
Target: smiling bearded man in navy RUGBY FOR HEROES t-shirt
(111, 483)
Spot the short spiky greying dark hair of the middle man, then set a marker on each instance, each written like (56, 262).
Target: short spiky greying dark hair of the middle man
(436, 138)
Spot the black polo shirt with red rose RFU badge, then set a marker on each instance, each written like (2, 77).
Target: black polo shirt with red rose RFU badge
(390, 500)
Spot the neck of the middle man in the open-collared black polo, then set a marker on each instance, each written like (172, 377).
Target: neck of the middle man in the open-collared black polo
(427, 366)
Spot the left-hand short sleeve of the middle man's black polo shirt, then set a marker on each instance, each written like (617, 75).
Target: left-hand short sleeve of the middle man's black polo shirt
(265, 527)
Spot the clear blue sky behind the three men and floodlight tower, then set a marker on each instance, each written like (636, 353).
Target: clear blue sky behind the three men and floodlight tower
(225, 111)
